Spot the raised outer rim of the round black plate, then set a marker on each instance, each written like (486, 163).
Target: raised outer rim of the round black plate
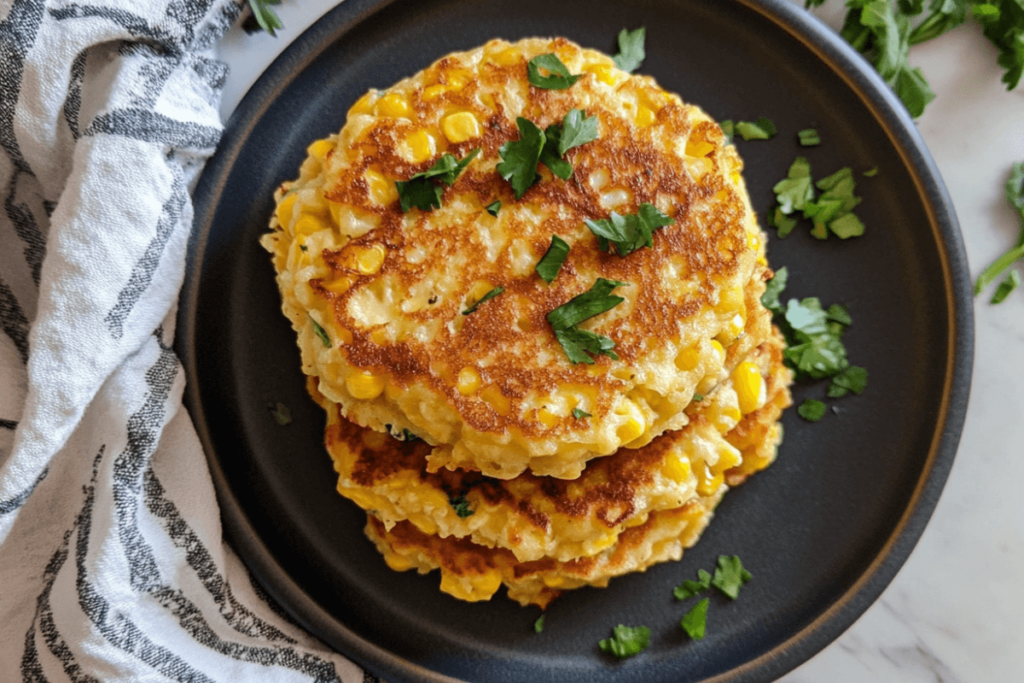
(893, 120)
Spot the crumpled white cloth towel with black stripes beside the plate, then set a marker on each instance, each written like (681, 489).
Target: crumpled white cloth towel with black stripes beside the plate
(112, 563)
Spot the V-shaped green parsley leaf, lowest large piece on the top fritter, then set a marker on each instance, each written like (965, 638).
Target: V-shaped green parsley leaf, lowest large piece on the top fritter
(576, 343)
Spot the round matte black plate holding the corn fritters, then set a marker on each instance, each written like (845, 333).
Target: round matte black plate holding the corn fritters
(824, 530)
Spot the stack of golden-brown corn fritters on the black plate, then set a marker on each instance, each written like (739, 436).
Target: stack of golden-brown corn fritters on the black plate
(466, 433)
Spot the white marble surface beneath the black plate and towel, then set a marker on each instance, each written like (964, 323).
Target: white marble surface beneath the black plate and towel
(954, 613)
